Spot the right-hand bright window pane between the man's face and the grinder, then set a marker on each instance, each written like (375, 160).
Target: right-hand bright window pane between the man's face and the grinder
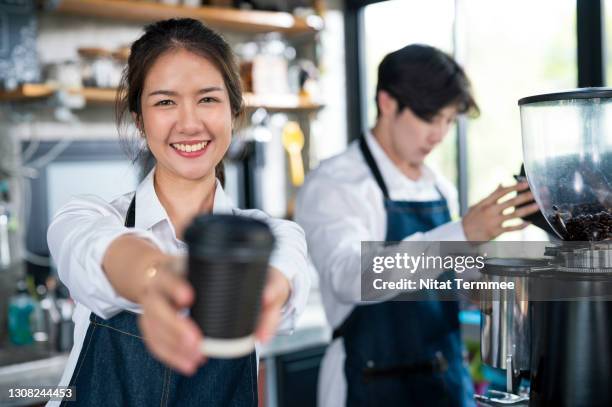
(512, 49)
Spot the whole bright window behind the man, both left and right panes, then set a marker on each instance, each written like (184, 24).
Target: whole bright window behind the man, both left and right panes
(509, 49)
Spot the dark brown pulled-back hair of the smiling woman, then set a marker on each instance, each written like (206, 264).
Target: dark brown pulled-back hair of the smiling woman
(159, 38)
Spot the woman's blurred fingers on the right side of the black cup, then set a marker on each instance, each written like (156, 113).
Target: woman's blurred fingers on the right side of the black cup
(275, 295)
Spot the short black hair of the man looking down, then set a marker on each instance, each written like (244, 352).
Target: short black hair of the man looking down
(425, 80)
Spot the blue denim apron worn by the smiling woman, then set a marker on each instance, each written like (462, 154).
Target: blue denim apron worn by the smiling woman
(115, 368)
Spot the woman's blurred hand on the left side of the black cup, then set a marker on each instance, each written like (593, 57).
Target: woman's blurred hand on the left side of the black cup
(170, 336)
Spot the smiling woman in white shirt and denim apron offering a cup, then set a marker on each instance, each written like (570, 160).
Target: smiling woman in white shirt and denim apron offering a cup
(182, 91)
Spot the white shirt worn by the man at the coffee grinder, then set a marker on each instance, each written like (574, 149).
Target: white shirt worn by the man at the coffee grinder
(341, 205)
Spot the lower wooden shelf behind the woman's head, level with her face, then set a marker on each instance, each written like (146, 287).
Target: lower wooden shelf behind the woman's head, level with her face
(107, 96)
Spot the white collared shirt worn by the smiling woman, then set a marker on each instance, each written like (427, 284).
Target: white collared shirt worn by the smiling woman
(82, 230)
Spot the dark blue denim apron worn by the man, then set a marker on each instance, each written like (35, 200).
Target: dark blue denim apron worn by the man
(405, 353)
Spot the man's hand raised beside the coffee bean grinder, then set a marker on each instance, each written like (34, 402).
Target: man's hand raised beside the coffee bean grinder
(484, 221)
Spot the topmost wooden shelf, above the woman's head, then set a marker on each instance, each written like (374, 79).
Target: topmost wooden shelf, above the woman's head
(221, 18)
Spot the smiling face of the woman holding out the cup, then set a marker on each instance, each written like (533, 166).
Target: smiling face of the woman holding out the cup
(186, 114)
